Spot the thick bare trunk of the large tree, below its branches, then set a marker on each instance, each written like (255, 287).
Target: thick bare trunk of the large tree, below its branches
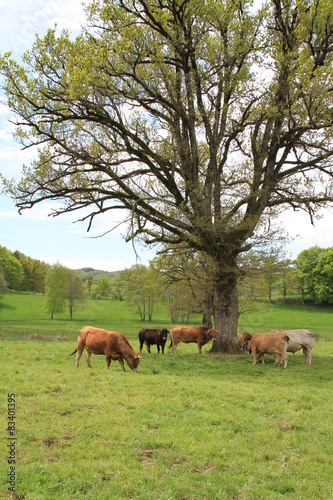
(226, 311)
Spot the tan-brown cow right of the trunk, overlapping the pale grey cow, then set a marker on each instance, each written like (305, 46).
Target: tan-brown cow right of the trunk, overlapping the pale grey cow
(269, 343)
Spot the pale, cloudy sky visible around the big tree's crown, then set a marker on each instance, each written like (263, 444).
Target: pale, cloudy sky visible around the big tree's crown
(61, 239)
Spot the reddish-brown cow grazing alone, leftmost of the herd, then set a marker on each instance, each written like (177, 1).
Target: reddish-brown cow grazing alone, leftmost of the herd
(113, 345)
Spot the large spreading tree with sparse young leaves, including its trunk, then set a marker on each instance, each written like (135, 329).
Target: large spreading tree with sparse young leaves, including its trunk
(200, 118)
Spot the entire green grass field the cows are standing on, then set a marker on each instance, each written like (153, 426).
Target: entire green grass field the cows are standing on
(183, 427)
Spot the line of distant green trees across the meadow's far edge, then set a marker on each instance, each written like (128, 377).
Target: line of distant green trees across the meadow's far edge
(181, 279)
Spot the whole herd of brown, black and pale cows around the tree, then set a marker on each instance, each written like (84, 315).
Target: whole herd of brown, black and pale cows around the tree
(115, 345)
